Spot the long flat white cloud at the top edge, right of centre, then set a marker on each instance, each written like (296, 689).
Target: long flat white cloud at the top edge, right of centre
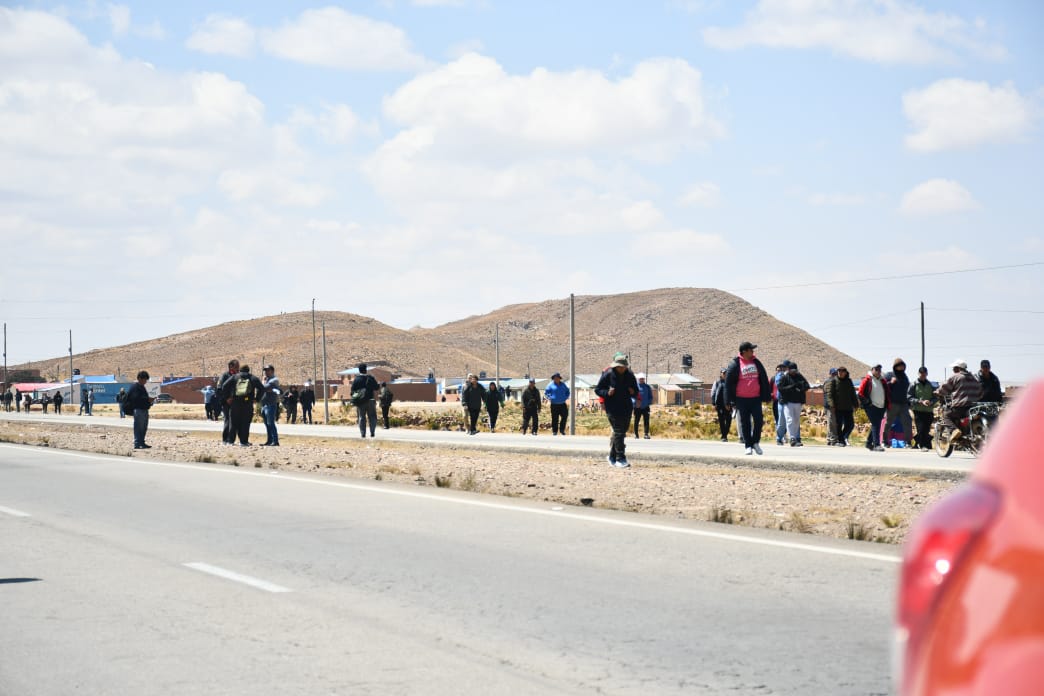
(891, 32)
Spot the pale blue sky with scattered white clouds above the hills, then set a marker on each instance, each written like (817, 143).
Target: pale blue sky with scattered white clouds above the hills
(171, 166)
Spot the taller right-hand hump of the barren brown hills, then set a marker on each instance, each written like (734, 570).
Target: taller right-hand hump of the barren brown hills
(663, 325)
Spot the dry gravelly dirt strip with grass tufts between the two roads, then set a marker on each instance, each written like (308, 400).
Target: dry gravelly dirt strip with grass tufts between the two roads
(874, 508)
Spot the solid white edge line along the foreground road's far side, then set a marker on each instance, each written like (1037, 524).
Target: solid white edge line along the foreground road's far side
(592, 519)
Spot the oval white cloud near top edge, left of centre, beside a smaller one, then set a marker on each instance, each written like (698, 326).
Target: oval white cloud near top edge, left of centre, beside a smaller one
(334, 38)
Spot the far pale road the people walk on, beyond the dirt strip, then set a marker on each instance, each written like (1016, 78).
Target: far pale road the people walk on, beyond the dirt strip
(706, 452)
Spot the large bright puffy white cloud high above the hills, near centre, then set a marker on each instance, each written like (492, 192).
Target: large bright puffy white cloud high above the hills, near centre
(471, 106)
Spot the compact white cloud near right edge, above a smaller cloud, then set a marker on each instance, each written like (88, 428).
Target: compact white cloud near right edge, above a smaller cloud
(959, 113)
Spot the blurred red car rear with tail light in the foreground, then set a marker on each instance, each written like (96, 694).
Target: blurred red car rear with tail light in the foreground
(971, 596)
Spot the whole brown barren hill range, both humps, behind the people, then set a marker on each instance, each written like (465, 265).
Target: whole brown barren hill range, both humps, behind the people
(666, 324)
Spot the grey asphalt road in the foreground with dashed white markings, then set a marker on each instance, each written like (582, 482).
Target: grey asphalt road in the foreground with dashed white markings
(136, 577)
